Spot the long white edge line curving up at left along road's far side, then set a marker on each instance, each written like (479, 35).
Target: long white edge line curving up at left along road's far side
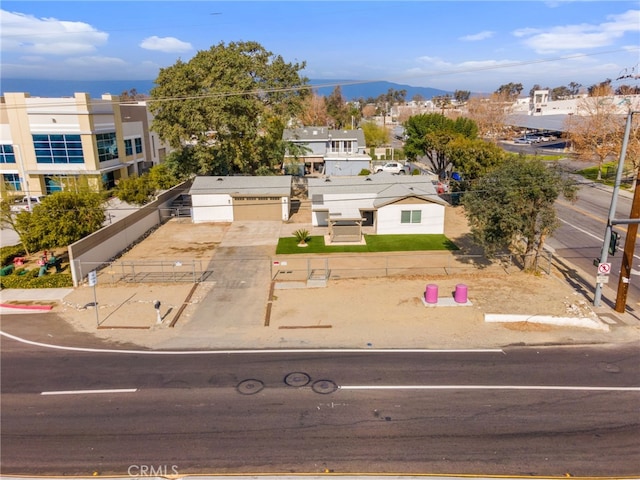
(229, 352)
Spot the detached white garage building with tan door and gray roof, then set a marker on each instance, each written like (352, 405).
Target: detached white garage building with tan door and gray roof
(227, 199)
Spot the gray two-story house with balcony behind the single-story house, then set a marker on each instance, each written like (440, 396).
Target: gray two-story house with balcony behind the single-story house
(324, 151)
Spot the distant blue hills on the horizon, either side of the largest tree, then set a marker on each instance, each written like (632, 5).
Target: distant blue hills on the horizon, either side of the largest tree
(351, 89)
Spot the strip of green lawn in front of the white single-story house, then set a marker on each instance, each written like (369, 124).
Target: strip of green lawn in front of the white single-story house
(375, 243)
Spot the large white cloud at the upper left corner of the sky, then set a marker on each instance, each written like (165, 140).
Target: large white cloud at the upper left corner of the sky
(31, 35)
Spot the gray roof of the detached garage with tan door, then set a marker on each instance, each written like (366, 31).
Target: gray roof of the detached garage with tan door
(242, 185)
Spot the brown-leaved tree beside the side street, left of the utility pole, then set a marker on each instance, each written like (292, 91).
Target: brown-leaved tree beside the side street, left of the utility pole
(596, 130)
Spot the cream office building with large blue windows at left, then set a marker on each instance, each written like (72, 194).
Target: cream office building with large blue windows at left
(53, 144)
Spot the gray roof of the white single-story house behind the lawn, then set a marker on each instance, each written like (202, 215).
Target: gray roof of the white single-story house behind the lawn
(383, 187)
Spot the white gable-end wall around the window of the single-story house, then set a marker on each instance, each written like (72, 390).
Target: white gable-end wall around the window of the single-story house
(432, 221)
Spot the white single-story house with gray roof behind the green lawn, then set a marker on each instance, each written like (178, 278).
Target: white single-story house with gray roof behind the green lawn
(390, 204)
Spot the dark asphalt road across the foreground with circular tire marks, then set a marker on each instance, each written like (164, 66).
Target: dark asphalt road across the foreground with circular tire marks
(528, 411)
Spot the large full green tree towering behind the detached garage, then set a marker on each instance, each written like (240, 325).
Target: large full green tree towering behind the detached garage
(222, 100)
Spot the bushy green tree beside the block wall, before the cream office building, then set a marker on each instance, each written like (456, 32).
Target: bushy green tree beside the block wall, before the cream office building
(61, 219)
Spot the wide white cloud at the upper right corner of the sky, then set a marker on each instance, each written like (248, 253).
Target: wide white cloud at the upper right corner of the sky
(581, 36)
